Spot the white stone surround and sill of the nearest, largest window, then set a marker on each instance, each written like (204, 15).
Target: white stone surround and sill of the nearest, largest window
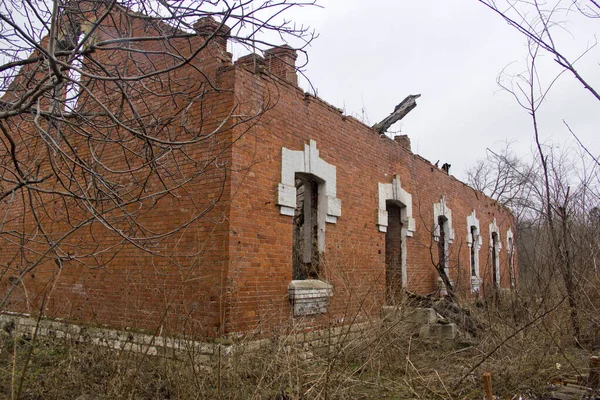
(309, 296)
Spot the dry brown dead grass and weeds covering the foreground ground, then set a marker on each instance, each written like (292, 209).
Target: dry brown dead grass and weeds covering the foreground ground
(524, 342)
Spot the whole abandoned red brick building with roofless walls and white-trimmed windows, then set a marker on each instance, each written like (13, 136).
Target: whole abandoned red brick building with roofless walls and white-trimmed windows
(291, 211)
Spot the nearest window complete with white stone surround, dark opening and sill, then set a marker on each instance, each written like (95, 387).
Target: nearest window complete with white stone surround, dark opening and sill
(307, 194)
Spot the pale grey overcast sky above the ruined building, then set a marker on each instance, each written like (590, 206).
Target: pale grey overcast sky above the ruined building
(371, 54)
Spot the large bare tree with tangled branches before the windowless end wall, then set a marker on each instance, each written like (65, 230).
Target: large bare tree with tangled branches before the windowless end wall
(113, 113)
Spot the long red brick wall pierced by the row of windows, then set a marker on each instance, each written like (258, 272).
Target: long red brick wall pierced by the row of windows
(261, 238)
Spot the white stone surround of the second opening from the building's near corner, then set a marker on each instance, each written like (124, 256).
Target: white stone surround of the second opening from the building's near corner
(395, 193)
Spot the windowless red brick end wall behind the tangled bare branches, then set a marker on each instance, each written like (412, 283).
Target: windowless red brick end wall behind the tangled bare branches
(170, 281)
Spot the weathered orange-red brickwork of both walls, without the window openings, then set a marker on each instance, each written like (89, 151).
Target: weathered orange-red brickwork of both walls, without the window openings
(229, 270)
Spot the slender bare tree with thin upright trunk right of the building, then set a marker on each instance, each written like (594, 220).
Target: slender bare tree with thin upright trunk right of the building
(551, 193)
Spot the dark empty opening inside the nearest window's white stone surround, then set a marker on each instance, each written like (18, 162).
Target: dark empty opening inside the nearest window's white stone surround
(305, 247)
